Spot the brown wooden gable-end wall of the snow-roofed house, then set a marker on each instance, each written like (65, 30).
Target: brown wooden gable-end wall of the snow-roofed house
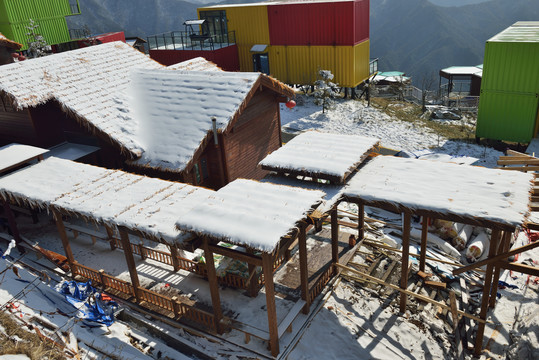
(254, 136)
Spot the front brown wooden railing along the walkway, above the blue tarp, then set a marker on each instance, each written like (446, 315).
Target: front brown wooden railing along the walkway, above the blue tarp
(177, 308)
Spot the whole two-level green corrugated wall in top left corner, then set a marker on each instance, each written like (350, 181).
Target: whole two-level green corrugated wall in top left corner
(48, 14)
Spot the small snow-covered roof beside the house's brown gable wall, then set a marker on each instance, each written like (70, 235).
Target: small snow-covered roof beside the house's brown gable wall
(322, 155)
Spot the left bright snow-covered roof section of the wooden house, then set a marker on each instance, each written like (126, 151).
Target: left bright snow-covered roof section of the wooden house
(88, 82)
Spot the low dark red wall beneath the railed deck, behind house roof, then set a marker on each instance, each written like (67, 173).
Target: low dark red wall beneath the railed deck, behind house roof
(226, 58)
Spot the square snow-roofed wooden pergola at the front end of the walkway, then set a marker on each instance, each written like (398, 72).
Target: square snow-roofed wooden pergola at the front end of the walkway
(278, 216)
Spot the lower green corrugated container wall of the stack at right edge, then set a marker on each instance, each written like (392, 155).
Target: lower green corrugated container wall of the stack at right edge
(507, 116)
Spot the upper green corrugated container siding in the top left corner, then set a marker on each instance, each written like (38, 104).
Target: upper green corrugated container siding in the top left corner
(22, 10)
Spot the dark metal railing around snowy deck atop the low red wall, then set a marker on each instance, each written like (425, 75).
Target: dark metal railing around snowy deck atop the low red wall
(182, 40)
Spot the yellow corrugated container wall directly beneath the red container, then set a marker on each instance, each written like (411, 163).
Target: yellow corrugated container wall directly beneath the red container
(300, 64)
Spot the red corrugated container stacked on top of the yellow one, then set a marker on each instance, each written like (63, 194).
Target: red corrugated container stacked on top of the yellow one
(342, 23)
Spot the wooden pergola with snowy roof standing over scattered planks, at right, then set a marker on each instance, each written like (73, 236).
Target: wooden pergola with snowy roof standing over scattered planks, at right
(438, 191)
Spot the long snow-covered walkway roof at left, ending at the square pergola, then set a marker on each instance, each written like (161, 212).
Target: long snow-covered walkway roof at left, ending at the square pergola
(114, 197)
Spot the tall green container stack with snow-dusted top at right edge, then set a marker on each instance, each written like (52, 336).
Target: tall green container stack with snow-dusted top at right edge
(509, 101)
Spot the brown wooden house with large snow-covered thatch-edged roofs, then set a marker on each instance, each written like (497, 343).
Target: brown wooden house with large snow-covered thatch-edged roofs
(80, 99)
